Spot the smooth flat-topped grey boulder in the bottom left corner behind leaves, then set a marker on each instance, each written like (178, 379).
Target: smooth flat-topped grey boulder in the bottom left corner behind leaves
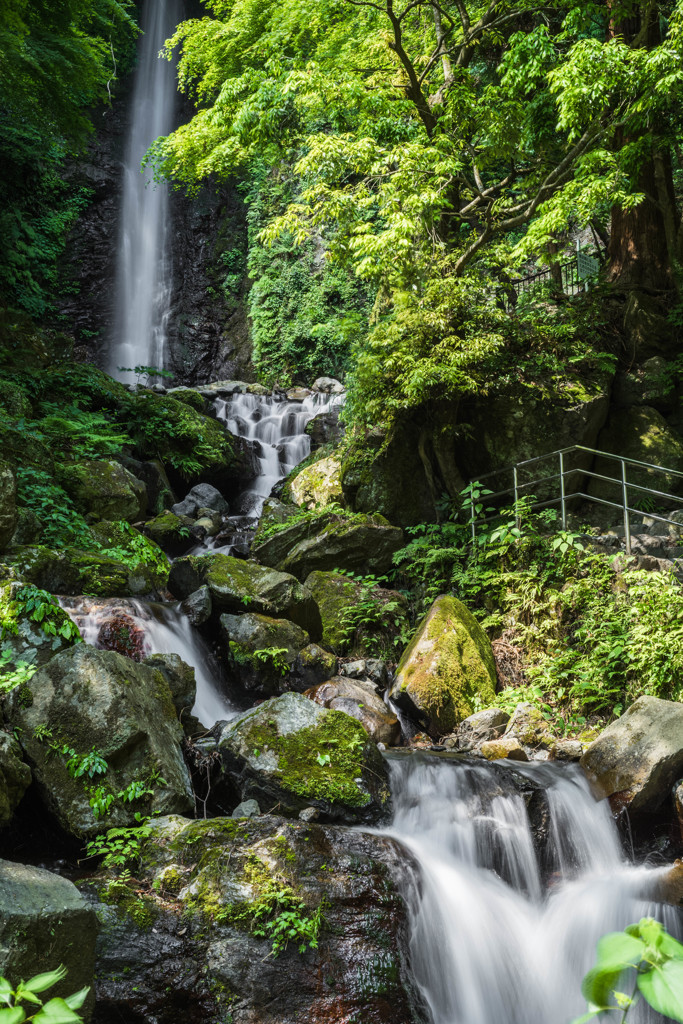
(47, 923)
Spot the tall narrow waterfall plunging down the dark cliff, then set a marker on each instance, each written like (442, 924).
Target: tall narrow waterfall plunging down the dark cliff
(144, 263)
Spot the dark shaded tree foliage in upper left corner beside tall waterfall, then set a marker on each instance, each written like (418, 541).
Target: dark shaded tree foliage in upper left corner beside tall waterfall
(58, 61)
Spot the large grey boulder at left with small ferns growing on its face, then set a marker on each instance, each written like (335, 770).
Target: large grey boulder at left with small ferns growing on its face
(87, 702)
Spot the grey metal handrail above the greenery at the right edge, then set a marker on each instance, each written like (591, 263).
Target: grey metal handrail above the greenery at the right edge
(564, 498)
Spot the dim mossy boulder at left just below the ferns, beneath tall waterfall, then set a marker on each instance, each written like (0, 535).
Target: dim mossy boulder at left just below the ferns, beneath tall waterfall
(106, 490)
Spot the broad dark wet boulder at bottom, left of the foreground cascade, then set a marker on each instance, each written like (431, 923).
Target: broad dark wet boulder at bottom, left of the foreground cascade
(202, 882)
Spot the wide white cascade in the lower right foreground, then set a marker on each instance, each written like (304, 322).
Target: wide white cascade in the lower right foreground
(493, 942)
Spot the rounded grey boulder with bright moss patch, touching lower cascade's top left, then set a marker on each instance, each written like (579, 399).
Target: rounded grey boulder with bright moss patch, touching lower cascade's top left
(291, 753)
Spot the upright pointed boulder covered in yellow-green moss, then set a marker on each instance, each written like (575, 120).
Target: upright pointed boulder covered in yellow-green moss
(448, 670)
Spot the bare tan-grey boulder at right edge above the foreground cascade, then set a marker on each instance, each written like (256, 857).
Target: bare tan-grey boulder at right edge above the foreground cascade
(638, 758)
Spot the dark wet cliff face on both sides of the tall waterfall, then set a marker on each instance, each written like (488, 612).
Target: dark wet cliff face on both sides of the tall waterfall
(208, 332)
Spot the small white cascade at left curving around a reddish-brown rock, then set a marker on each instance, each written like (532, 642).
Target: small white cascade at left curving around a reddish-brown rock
(144, 628)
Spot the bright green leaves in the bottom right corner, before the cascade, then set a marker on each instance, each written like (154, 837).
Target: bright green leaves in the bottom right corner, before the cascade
(649, 960)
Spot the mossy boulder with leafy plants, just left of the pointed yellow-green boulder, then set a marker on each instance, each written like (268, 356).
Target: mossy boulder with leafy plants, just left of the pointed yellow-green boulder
(359, 620)
